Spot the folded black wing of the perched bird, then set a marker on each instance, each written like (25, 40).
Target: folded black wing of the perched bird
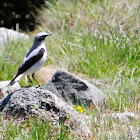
(31, 61)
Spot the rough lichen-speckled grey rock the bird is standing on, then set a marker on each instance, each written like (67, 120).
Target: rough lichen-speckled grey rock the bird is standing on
(43, 104)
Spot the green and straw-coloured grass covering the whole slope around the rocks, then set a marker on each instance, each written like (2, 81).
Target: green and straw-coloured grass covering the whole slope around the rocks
(100, 39)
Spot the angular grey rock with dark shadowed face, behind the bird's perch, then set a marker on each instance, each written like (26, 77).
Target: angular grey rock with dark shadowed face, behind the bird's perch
(74, 89)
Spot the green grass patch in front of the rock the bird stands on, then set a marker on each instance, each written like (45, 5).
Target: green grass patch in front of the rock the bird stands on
(33, 129)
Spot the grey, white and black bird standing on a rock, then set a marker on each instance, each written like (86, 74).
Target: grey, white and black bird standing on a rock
(33, 60)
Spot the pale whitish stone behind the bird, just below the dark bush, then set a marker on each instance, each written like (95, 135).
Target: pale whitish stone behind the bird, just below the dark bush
(7, 35)
